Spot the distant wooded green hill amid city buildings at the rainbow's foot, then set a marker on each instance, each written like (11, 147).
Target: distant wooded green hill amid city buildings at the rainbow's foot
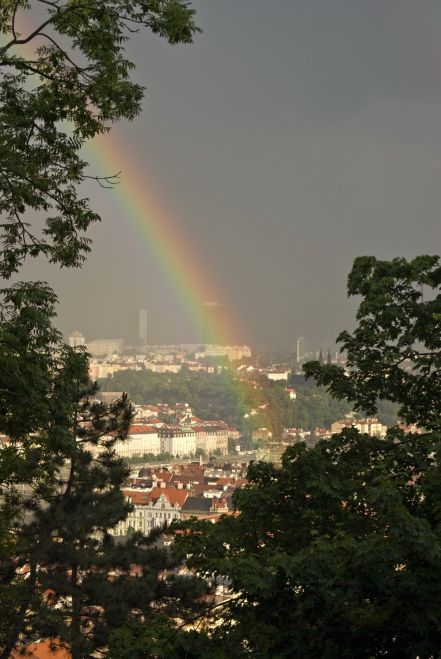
(223, 396)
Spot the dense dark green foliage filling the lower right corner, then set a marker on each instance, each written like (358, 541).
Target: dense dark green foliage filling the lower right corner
(335, 554)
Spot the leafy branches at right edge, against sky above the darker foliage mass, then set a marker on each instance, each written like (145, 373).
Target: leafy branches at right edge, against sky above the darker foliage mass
(395, 352)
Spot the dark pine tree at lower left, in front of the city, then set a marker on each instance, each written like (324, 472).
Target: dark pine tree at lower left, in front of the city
(62, 574)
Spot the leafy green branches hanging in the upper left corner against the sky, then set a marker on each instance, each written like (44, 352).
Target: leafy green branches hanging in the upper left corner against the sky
(73, 87)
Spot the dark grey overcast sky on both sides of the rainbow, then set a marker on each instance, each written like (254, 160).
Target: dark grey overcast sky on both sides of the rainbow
(291, 137)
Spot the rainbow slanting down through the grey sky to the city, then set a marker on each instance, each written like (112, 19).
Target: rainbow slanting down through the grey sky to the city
(145, 213)
